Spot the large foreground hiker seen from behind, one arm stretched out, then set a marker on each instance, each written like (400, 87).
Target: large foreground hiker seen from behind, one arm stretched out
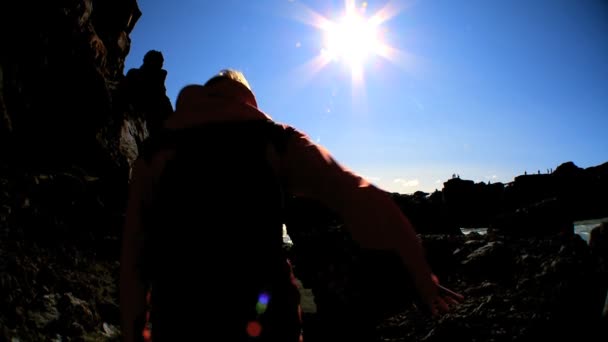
(203, 226)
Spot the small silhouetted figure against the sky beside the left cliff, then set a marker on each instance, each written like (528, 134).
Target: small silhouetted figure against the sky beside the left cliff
(144, 89)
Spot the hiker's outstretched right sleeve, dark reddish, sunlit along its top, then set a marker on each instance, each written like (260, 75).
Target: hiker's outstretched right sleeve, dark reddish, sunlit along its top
(370, 214)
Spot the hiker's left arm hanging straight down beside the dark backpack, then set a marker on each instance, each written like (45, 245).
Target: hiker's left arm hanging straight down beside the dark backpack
(132, 290)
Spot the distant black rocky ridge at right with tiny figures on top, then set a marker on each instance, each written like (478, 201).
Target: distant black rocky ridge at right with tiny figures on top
(535, 204)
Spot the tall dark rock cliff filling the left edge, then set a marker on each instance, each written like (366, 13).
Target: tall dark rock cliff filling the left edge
(66, 146)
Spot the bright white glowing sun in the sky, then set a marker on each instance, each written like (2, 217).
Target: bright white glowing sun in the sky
(352, 40)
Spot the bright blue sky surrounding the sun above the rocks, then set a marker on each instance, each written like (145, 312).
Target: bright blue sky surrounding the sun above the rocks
(483, 89)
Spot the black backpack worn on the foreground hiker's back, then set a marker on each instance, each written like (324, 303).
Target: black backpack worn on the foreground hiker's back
(215, 223)
